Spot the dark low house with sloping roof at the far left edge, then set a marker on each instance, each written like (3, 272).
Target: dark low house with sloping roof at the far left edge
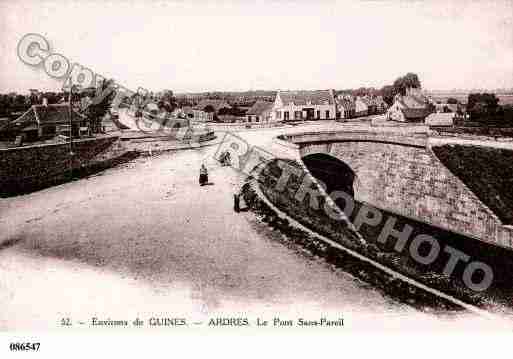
(46, 121)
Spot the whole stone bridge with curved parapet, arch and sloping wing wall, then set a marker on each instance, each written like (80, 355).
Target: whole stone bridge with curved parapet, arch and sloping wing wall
(400, 174)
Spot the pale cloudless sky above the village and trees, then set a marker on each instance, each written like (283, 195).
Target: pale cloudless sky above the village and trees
(200, 45)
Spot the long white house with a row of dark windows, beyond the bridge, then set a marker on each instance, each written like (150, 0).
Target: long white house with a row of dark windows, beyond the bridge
(304, 105)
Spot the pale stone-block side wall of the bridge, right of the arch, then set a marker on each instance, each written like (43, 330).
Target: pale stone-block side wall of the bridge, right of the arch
(409, 180)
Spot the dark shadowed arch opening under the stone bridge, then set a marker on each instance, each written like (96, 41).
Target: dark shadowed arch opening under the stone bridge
(335, 174)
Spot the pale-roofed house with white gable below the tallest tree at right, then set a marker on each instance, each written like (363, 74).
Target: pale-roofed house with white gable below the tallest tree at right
(412, 107)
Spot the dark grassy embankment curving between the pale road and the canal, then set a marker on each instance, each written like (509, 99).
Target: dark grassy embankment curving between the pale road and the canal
(341, 231)
